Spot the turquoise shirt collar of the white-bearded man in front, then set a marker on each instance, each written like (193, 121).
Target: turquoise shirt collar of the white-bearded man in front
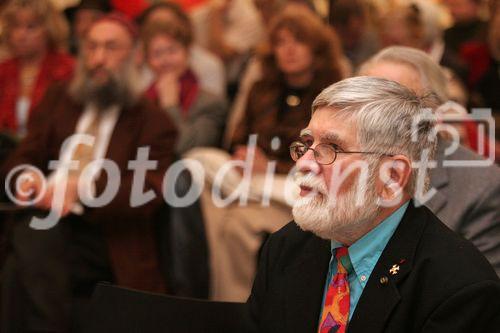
(365, 252)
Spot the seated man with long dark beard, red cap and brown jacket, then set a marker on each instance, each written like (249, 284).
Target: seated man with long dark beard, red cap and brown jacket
(50, 265)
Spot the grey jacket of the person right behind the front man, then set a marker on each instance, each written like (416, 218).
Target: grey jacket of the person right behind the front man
(468, 200)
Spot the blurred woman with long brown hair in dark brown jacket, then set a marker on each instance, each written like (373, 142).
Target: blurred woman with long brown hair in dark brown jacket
(302, 58)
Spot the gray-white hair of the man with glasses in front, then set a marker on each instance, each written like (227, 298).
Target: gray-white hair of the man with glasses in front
(389, 117)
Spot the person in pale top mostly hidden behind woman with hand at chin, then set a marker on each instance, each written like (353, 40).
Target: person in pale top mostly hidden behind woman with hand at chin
(208, 68)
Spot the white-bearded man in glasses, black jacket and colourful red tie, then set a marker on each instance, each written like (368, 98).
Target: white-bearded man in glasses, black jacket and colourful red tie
(361, 255)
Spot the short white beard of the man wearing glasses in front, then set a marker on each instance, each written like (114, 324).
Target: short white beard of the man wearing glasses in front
(336, 220)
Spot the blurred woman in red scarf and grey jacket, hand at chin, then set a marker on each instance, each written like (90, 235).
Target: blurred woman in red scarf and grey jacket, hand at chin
(199, 115)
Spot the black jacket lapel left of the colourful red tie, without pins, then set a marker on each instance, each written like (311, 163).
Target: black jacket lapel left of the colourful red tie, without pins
(304, 284)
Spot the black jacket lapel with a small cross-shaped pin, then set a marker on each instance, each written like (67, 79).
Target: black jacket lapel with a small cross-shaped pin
(381, 293)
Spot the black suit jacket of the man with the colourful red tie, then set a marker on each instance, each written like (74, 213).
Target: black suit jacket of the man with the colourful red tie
(444, 284)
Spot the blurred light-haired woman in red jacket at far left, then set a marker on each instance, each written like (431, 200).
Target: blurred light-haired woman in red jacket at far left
(36, 34)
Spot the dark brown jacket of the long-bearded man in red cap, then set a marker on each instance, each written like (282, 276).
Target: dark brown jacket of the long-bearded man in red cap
(128, 230)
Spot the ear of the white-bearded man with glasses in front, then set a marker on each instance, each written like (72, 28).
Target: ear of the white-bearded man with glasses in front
(395, 173)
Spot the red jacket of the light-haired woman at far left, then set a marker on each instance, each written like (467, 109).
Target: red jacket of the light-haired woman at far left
(55, 67)
